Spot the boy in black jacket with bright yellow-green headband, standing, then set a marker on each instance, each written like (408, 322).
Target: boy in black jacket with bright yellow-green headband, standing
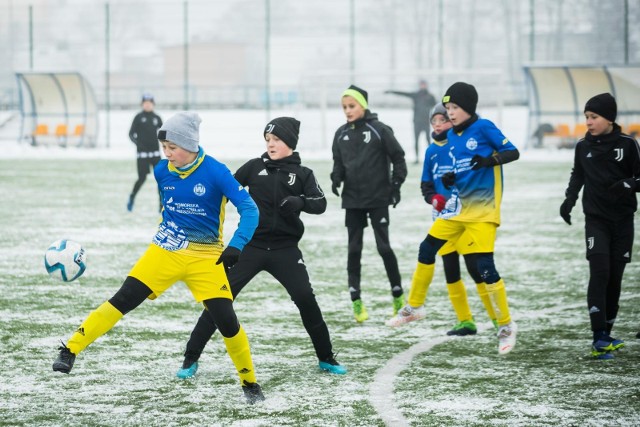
(370, 163)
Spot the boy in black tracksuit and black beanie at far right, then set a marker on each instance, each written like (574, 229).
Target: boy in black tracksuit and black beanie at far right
(607, 165)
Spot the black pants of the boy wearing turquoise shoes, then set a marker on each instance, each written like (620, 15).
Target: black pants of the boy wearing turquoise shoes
(287, 267)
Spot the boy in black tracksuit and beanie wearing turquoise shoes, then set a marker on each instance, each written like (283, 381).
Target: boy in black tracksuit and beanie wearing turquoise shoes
(282, 188)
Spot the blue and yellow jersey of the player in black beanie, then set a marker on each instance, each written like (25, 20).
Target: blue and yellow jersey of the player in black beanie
(479, 192)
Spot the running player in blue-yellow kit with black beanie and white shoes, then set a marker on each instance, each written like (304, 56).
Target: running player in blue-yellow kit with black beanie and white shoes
(477, 149)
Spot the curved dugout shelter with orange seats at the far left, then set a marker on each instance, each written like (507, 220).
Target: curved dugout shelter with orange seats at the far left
(57, 108)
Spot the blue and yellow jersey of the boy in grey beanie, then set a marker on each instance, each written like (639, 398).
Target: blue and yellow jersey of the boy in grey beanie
(194, 207)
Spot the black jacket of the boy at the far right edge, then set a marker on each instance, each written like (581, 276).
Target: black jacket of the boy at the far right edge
(601, 161)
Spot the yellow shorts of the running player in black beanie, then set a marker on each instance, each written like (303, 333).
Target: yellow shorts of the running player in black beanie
(474, 237)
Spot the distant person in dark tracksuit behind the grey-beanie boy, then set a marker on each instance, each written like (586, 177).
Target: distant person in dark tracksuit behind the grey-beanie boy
(144, 133)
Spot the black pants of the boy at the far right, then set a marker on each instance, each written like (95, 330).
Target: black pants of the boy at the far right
(608, 245)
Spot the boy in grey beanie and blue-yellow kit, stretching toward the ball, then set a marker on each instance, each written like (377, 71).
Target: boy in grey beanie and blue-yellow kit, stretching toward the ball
(188, 247)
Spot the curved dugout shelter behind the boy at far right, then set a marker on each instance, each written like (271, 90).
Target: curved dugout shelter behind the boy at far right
(557, 95)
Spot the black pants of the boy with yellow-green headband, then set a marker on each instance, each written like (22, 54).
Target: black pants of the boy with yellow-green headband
(356, 222)
